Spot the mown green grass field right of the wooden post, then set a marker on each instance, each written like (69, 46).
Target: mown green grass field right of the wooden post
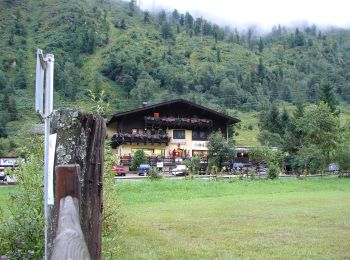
(196, 219)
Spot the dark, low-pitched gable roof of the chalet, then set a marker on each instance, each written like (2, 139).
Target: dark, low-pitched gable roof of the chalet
(231, 120)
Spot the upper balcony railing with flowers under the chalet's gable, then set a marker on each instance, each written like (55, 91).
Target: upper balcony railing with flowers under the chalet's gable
(178, 122)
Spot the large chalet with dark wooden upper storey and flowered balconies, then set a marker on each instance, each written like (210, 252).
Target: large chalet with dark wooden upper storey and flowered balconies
(170, 131)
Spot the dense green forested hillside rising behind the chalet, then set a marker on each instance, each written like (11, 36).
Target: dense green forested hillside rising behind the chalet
(110, 53)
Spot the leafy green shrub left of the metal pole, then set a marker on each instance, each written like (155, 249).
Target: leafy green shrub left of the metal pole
(22, 228)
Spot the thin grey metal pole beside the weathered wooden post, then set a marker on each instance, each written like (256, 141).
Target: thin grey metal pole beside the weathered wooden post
(49, 58)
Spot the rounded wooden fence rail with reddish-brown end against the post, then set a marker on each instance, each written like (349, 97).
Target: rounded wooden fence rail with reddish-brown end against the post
(69, 242)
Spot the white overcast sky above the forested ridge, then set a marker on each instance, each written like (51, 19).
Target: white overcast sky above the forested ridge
(262, 13)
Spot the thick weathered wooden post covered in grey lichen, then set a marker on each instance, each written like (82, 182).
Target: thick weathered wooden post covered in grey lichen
(80, 140)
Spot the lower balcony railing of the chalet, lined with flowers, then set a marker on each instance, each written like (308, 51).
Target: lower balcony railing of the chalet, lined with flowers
(124, 138)
